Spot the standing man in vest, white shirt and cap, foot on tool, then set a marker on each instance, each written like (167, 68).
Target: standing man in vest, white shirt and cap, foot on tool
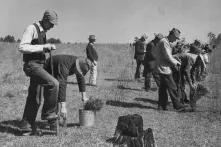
(34, 47)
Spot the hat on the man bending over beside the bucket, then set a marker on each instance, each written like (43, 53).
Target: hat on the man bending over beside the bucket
(83, 65)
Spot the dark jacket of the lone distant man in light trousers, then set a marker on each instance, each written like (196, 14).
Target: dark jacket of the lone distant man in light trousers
(91, 52)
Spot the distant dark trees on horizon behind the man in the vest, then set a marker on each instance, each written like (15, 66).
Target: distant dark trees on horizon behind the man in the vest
(11, 39)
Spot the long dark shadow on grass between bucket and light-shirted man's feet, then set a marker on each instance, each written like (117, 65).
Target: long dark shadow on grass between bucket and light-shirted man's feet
(127, 105)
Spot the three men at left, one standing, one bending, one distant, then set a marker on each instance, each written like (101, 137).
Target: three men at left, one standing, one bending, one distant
(48, 74)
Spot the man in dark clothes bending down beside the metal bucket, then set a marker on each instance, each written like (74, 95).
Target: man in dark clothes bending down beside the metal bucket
(64, 66)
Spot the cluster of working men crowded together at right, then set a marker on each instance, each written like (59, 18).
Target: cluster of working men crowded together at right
(172, 67)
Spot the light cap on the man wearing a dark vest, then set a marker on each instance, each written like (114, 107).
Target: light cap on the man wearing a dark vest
(51, 16)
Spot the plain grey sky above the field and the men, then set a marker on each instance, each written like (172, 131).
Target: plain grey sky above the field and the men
(114, 20)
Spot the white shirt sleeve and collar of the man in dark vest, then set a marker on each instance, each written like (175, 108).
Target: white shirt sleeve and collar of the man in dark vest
(30, 33)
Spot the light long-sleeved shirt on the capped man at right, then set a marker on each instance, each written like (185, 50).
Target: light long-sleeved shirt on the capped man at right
(164, 57)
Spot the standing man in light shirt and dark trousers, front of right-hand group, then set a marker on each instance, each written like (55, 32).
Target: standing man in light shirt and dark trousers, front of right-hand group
(165, 61)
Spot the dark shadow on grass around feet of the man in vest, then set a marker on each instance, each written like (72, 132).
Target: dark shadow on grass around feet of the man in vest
(12, 127)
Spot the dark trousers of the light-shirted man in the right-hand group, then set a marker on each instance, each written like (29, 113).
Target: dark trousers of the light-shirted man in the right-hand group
(167, 84)
